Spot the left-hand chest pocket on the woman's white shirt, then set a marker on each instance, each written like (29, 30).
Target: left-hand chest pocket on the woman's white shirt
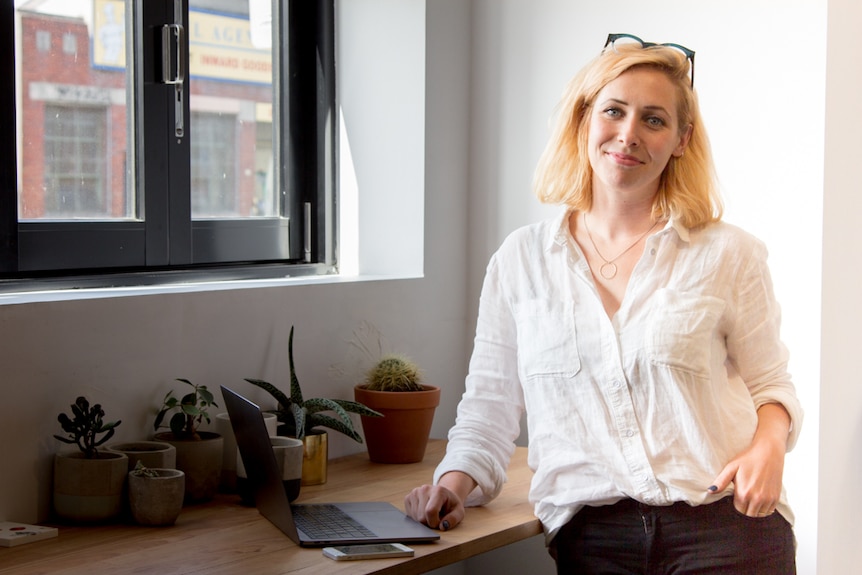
(547, 341)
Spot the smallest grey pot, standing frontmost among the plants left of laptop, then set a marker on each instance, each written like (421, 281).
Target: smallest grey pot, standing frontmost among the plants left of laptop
(157, 500)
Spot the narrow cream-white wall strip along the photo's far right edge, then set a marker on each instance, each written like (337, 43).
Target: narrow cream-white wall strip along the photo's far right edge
(840, 464)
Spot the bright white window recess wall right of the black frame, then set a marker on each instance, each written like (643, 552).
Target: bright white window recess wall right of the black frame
(381, 92)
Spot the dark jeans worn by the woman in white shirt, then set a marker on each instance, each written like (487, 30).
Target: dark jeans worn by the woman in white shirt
(630, 538)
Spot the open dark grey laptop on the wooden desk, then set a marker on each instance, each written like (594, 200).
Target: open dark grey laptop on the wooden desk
(312, 525)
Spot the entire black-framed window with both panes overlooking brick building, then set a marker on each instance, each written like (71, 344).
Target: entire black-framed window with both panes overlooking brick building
(166, 137)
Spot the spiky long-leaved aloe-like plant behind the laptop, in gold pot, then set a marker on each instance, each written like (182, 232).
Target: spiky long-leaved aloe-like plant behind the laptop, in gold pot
(300, 415)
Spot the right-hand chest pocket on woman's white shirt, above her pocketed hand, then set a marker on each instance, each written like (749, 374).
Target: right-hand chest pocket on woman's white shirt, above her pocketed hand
(683, 332)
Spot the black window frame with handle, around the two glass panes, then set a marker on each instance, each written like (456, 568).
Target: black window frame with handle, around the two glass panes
(168, 245)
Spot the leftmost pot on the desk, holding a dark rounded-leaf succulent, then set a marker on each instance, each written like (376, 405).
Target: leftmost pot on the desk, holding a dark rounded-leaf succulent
(89, 490)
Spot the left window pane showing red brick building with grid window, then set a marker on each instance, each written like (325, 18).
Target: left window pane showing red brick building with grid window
(74, 156)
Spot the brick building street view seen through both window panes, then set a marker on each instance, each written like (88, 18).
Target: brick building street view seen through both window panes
(76, 148)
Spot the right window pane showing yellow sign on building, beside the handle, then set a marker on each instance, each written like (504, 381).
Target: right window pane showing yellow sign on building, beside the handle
(230, 65)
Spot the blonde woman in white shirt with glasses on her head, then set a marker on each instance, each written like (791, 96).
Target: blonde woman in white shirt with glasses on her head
(641, 336)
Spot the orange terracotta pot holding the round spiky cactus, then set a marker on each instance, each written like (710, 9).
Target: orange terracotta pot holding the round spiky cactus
(401, 435)
